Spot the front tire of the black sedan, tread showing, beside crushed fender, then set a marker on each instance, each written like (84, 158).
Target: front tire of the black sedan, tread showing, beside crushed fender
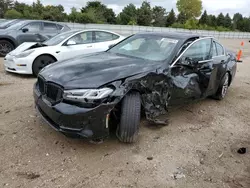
(128, 129)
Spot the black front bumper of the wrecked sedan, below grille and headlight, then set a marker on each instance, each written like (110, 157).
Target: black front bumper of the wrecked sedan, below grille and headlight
(74, 121)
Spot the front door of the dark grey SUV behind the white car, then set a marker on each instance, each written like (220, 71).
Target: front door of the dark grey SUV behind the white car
(30, 33)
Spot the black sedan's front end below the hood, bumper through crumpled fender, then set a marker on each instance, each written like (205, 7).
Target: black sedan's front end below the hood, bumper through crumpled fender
(93, 113)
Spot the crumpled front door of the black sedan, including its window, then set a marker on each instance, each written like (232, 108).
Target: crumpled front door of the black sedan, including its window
(192, 72)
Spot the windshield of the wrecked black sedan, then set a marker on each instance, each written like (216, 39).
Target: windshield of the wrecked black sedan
(149, 47)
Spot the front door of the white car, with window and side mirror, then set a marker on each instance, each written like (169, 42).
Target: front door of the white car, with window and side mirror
(79, 44)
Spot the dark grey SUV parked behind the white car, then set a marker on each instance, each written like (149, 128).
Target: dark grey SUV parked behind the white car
(28, 31)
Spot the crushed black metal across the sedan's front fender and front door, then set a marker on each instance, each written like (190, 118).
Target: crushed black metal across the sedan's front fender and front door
(159, 90)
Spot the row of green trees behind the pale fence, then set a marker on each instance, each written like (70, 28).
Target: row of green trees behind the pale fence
(190, 15)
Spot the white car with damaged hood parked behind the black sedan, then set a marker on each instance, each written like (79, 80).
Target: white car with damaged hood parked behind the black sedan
(31, 57)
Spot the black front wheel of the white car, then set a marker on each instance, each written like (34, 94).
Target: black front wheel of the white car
(41, 62)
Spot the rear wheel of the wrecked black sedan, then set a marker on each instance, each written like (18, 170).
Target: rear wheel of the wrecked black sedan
(223, 88)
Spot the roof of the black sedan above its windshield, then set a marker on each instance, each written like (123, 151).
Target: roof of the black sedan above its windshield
(177, 35)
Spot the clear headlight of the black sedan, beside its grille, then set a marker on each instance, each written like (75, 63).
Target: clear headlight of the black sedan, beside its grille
(89, 94)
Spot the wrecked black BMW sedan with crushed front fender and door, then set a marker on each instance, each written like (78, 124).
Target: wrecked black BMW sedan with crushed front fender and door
(144, 74)
